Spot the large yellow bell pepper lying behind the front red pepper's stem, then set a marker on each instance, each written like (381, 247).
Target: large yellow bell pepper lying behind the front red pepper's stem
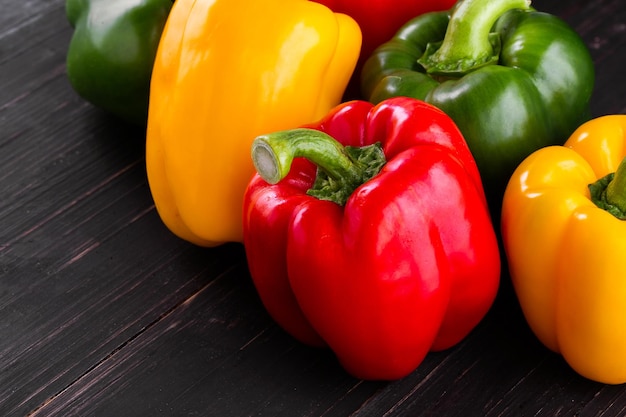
(225, 72)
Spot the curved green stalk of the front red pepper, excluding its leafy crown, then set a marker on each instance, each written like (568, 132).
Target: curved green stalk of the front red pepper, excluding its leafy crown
(272, 154)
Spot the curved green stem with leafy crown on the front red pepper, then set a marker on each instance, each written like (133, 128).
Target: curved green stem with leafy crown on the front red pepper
(340, 169)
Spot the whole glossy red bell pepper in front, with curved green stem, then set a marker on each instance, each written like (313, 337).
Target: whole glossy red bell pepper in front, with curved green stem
(407, 264)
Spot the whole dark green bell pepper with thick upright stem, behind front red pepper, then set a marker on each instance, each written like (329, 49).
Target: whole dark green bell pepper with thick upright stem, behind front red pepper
(513, 79)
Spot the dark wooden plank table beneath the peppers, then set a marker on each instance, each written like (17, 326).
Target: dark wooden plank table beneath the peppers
(103, 312)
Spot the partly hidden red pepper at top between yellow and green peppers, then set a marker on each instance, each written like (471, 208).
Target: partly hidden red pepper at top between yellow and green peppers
(379, 20)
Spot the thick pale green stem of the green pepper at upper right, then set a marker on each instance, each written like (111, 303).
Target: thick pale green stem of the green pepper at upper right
(468, 43)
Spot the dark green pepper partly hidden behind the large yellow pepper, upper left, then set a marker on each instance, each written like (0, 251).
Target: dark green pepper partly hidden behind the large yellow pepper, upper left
(112, 50)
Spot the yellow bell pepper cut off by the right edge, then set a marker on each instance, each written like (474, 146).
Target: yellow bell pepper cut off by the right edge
(566, 253)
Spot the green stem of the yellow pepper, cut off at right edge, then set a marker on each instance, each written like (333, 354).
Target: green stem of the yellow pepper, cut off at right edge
(609, 192)
